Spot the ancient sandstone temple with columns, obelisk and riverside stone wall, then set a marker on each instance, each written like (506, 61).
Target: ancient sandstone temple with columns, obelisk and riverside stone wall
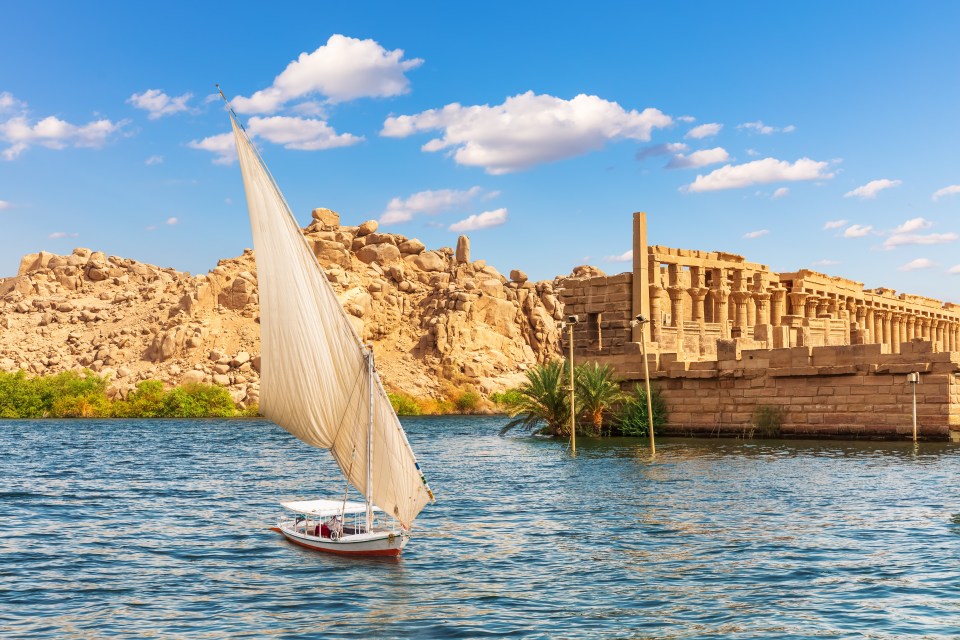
(727, 337)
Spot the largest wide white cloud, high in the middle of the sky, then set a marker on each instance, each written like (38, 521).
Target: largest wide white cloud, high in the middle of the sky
(527, 129)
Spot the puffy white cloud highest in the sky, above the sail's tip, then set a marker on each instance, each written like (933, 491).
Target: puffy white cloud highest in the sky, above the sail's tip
(342, 69)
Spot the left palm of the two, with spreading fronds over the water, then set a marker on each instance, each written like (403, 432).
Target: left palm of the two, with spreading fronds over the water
(542, 399)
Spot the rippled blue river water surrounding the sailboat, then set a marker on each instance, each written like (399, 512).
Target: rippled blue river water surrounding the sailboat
(159, 529)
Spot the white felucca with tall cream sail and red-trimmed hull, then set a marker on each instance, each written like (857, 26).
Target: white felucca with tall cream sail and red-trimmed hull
(318, 381)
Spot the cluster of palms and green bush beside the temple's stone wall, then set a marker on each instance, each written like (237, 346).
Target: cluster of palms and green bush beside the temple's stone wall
(542, 403)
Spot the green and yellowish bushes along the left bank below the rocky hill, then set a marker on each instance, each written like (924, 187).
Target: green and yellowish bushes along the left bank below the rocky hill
(74, 394)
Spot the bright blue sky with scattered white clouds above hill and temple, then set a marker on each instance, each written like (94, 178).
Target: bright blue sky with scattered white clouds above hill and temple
(822, 136)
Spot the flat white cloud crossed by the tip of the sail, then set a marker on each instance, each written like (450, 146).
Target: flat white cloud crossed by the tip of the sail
(302, 134)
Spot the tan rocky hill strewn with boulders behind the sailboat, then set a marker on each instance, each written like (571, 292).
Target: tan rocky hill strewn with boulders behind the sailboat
(436, 318)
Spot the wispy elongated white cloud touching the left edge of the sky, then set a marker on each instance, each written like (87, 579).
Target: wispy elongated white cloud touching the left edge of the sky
(53, 133)
